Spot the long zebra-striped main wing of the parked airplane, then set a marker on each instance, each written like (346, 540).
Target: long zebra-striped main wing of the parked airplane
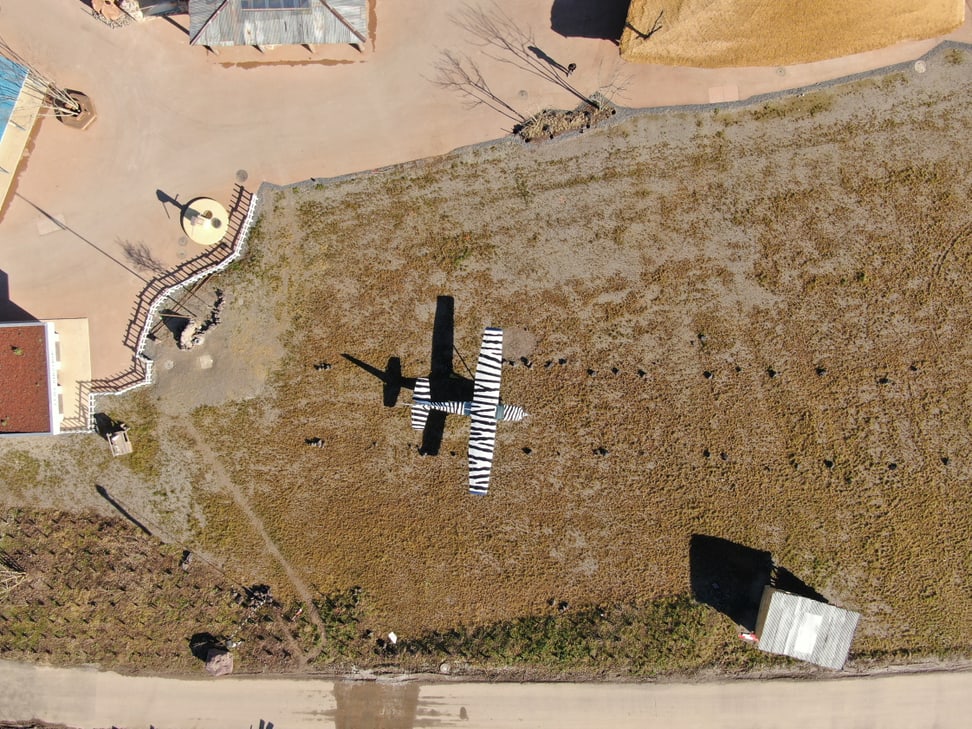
(482, 413)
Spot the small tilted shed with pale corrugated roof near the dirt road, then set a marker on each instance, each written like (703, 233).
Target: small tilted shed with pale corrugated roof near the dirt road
(806, 629)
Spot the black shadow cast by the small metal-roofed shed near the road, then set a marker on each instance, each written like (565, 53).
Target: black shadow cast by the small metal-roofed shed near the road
(731, 577)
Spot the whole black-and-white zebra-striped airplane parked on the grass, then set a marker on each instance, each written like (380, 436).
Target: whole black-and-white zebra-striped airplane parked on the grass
(484, 411)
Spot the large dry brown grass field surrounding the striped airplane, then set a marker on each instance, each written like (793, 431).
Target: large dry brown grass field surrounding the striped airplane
(744, 323)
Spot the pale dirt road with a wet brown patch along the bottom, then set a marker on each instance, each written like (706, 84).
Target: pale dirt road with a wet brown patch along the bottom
(88, 698)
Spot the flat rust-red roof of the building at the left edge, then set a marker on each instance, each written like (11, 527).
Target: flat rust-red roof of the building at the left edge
(24, 382)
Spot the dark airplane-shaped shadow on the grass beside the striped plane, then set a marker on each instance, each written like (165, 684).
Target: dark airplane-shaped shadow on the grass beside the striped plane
(445, 384)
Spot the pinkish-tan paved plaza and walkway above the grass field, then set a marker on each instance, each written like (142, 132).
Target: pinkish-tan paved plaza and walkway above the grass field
(174, 120)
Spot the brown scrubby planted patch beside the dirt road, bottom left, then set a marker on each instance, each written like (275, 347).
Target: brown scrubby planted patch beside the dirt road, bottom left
(98, 590)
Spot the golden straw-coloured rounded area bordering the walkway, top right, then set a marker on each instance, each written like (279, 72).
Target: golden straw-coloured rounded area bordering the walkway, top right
(773, 33)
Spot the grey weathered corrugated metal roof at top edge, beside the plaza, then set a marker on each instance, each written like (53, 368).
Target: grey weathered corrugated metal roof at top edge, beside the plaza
(277, 22)
